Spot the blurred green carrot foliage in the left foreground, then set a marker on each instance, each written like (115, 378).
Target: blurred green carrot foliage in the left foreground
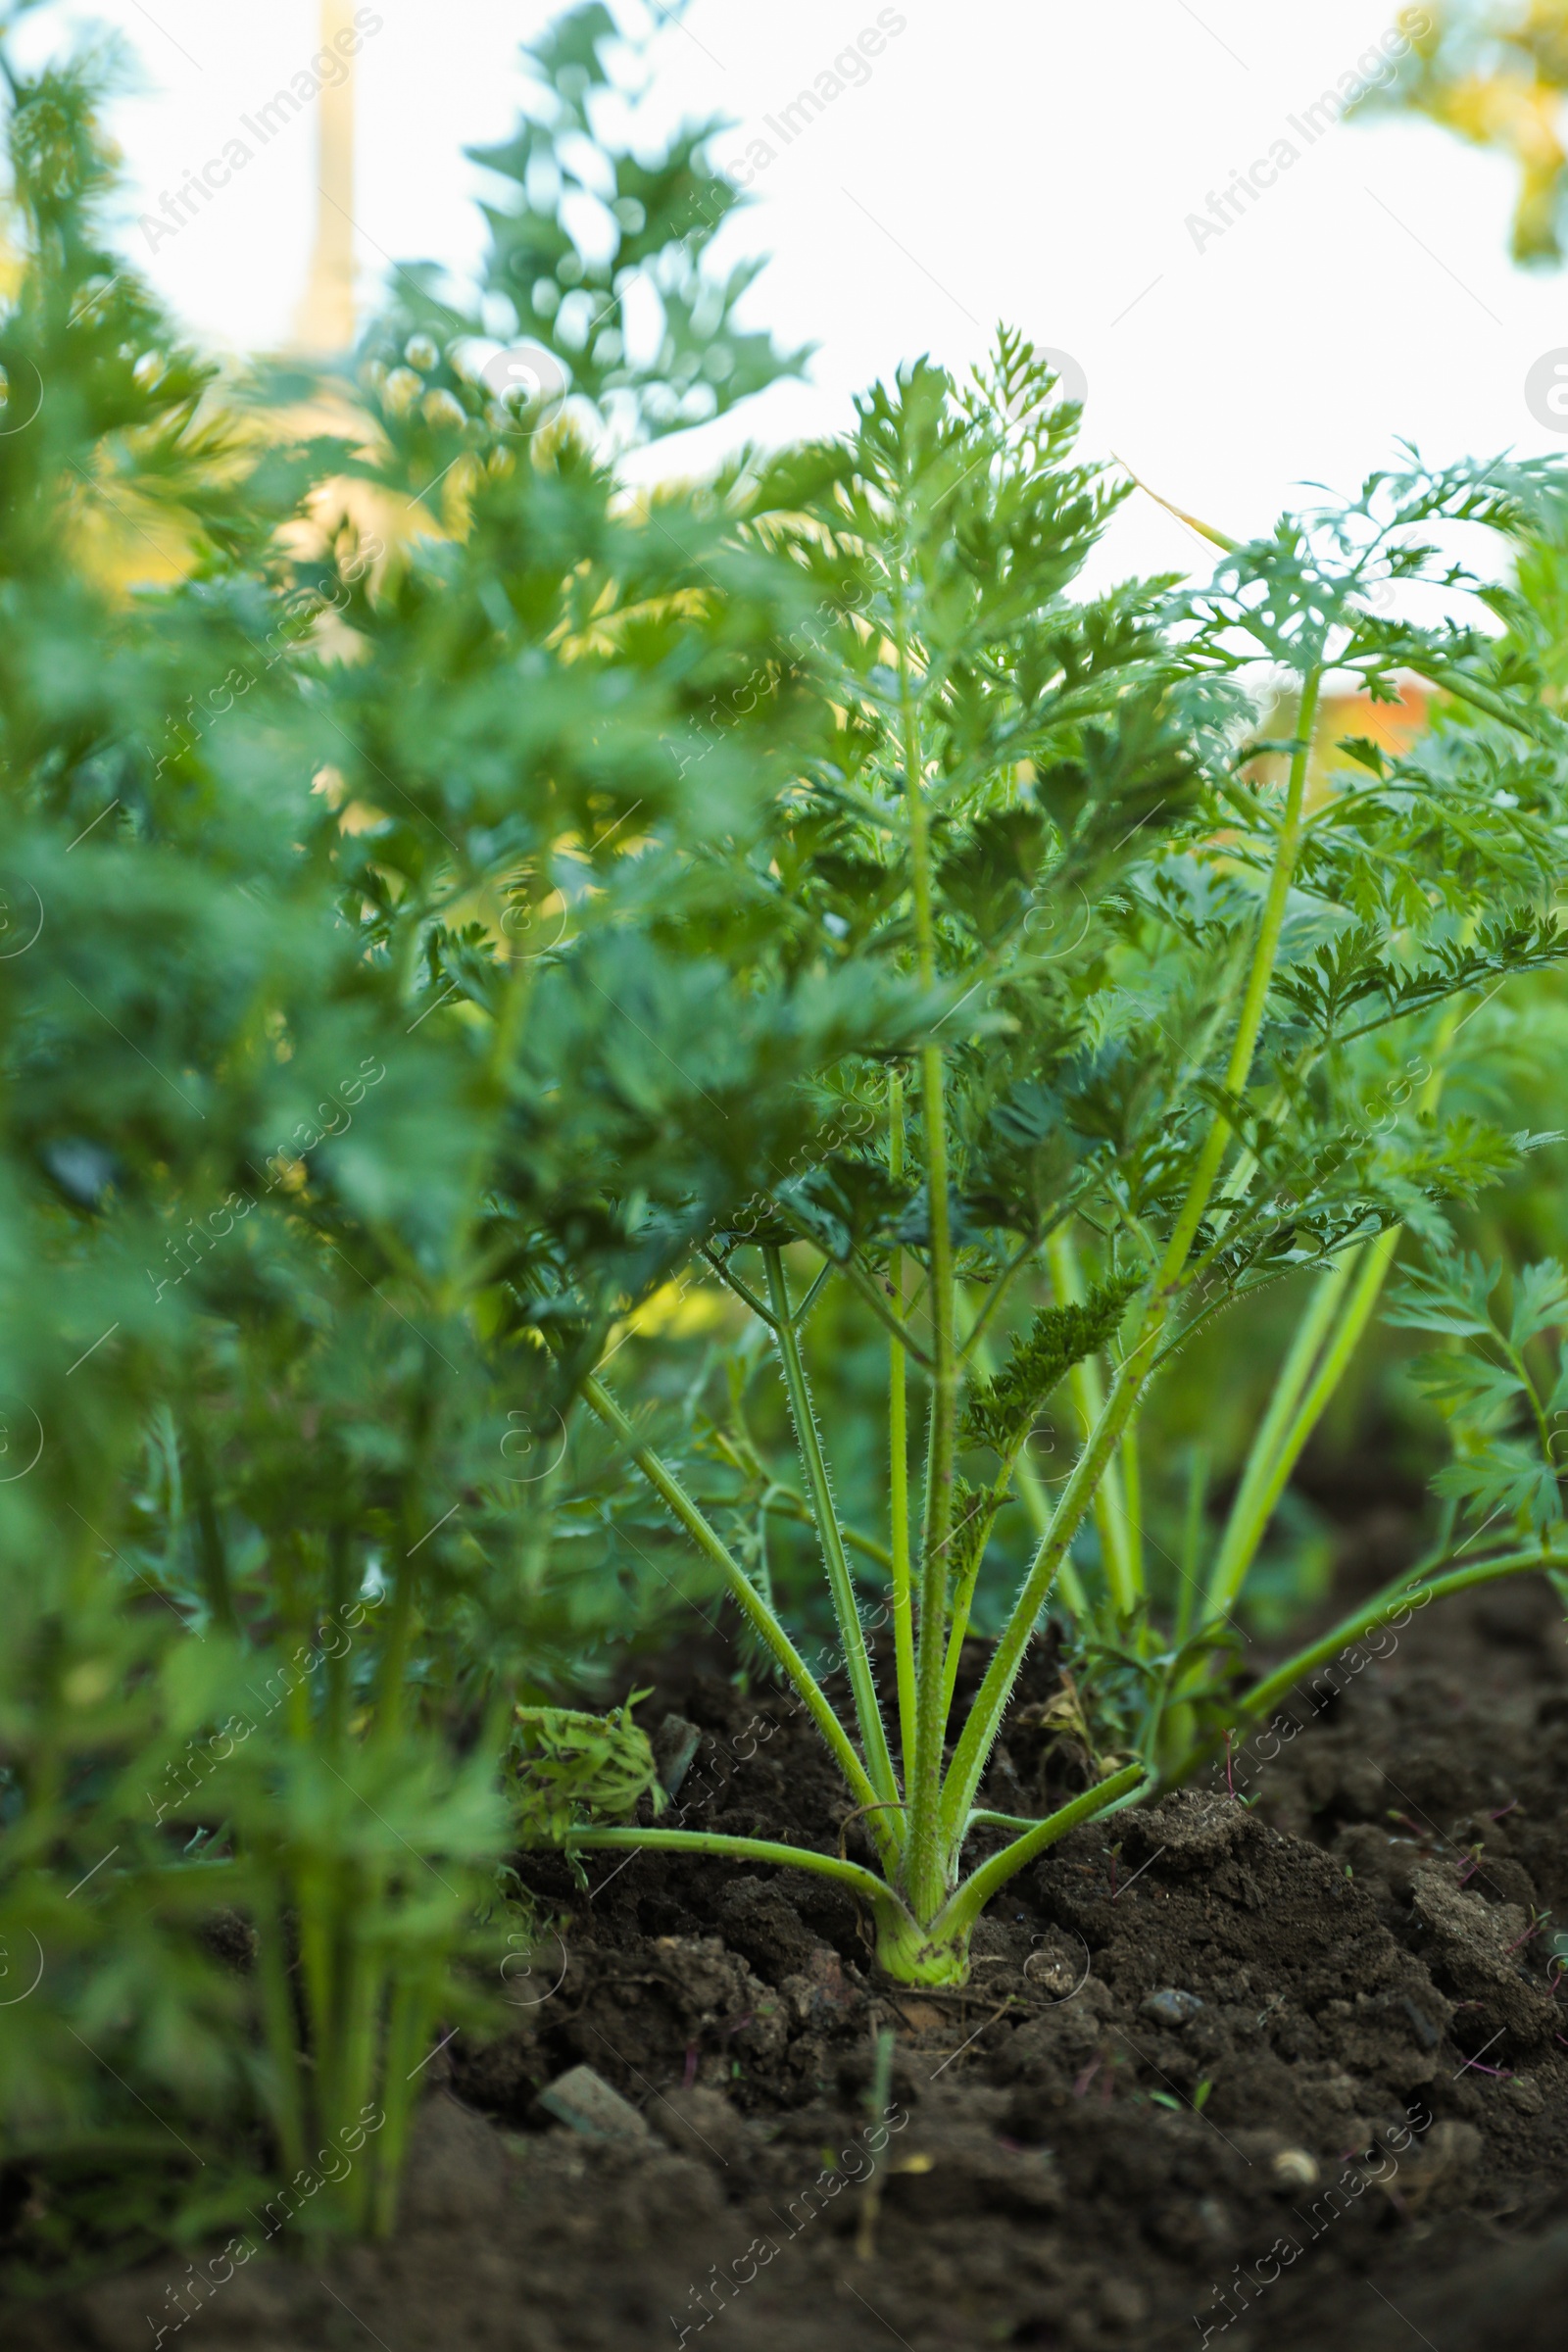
(354, 926)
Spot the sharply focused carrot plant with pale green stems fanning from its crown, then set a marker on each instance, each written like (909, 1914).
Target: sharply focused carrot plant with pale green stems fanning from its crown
(1202, 1008)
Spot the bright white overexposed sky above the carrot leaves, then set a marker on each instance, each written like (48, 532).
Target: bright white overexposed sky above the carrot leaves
(1024, 159)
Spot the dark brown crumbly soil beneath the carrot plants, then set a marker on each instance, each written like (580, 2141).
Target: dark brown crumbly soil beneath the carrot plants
(1355, 2137)
